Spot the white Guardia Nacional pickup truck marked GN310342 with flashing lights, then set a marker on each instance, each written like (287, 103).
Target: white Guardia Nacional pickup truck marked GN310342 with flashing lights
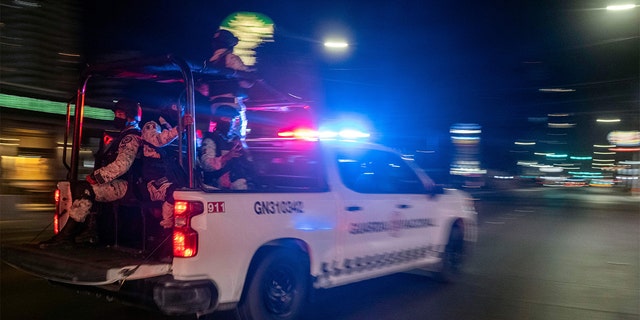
(319, 214)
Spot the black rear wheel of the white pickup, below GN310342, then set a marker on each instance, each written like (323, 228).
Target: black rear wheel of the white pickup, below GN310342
(278, 288)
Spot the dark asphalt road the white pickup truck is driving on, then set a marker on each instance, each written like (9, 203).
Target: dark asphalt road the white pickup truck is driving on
(541, 254)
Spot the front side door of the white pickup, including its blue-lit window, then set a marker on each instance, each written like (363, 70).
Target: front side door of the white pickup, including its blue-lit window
(386, 215)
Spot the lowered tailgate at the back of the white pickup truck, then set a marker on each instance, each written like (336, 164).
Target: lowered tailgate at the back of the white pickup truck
(82, 265)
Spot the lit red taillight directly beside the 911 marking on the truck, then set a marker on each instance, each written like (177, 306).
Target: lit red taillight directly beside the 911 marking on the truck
(185, 239)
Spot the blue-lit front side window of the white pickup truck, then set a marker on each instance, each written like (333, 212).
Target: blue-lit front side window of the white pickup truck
(376, 171)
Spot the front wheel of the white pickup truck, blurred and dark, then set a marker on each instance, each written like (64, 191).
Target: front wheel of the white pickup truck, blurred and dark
(453, 257)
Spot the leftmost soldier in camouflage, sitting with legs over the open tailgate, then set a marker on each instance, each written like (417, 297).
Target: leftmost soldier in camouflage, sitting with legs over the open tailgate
(110, 180)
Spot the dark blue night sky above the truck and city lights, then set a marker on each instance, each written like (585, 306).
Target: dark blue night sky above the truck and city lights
(413, 67)
